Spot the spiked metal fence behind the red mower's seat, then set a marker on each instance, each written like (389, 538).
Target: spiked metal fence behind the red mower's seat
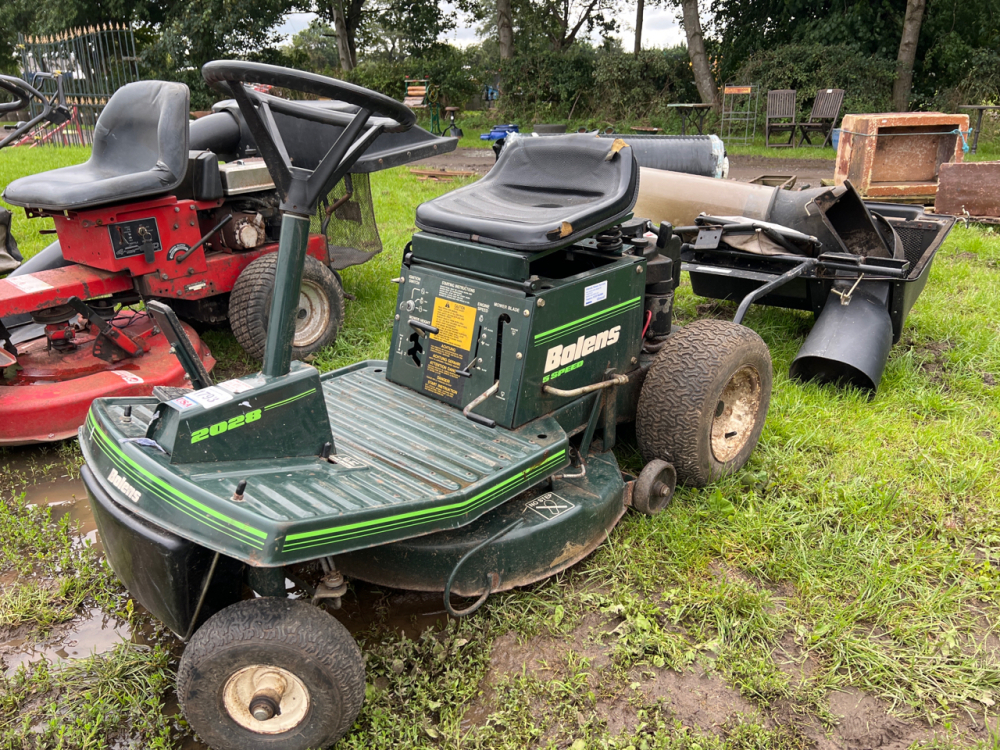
(92, 63)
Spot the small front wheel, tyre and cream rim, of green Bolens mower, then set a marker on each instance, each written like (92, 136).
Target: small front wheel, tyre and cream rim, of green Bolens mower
(271, 673)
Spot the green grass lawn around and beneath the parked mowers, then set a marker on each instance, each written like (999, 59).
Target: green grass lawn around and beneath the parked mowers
(842, 591)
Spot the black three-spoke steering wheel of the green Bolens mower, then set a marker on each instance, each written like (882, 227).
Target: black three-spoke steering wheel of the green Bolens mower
(300, 189)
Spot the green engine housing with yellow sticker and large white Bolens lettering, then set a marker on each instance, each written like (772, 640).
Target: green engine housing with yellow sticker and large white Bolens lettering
(566, 319)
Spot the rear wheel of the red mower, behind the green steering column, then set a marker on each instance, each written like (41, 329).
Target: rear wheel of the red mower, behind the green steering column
(319, 317)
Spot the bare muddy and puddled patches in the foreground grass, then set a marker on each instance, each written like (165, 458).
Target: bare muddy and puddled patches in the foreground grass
(694, 697)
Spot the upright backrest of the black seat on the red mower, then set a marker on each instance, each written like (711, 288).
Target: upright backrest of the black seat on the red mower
(144, 127)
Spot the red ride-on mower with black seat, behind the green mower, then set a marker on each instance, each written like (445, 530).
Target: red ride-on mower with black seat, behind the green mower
(180, 211)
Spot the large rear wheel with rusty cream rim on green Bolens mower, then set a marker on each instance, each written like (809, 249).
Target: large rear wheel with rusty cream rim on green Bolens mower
(704, 401)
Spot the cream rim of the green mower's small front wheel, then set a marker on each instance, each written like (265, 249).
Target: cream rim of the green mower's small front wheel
(270, 684)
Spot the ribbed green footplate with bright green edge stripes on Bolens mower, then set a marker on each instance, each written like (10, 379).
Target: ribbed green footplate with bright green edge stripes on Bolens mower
(404, 466)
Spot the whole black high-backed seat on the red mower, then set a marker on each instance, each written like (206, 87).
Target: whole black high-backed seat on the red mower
(140, 150)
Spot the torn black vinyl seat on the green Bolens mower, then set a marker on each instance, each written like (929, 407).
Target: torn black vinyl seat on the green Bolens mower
(543, 193)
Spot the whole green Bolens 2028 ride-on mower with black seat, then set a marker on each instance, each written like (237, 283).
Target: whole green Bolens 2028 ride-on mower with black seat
(533, 316)
